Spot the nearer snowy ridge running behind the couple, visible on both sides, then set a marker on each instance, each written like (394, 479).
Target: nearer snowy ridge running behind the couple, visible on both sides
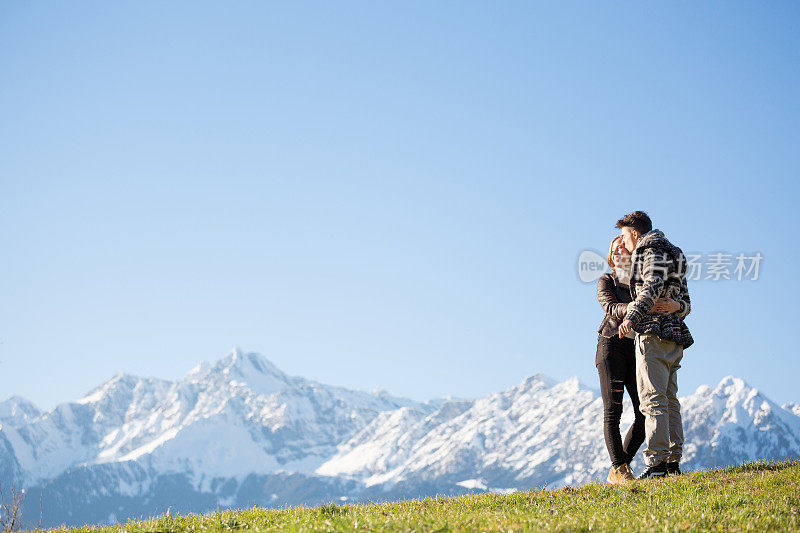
(538, 433)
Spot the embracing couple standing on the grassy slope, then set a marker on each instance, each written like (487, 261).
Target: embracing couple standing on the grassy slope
(640, 346)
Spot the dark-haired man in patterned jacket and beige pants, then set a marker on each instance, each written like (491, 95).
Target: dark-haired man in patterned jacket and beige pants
(658, 270)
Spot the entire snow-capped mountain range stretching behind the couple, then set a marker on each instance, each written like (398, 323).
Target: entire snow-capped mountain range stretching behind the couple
(241, 432)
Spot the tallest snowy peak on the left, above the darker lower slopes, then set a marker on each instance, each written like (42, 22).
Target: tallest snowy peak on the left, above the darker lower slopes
(241, 415)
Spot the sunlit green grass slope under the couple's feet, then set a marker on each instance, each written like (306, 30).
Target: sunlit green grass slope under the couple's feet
(755, 496)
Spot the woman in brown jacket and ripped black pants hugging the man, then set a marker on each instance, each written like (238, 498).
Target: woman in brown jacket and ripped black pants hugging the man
(616, 362)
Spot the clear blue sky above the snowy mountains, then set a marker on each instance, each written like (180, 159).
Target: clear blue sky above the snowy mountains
(385, 194)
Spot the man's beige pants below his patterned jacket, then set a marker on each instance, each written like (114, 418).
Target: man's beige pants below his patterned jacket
(657, 364)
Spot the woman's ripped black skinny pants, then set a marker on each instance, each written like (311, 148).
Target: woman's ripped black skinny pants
(616, 365)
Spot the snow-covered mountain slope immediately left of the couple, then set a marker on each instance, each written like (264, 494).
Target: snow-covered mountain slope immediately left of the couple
(509, 431)
